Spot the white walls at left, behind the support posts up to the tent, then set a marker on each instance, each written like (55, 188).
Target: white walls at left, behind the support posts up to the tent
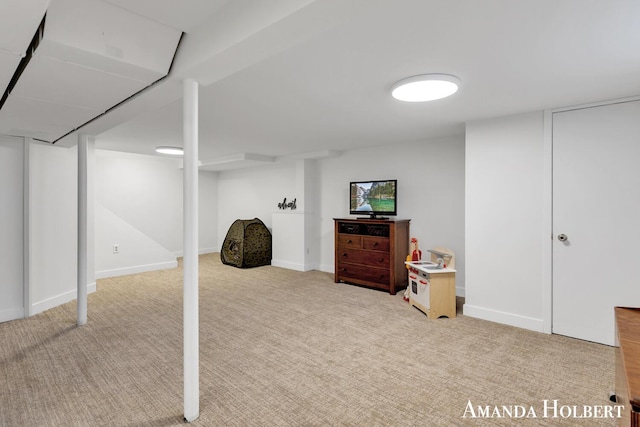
(135, 185)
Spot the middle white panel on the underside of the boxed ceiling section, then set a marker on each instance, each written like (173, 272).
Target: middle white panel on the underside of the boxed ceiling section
(51, 80)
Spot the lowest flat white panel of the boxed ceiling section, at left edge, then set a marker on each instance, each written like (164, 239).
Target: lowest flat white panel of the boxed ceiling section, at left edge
(41, 120)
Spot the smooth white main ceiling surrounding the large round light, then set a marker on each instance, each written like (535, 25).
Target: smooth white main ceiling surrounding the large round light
(289, 77)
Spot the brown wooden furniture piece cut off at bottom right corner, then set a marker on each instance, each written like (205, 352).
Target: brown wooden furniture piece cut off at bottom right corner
(628, 365)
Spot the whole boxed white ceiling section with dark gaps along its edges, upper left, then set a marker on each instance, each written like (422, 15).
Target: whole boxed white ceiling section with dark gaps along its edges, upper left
(92, 55)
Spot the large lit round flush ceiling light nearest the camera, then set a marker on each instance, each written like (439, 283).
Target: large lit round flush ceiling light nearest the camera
(425, 87)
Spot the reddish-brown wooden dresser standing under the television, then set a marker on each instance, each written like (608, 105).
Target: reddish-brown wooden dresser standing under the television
(372, 252)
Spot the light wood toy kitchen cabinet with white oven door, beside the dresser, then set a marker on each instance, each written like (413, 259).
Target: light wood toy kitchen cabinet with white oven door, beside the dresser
(432, 289)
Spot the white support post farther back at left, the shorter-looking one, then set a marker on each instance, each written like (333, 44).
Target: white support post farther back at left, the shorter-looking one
(83, 160)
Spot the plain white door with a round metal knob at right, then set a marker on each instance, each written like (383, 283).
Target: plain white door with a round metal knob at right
(596, 205)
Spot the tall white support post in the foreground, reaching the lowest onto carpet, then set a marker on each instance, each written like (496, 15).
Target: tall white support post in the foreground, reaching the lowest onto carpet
(190, 260)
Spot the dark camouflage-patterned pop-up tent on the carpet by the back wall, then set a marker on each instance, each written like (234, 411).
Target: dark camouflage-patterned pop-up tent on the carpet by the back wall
(247, 244)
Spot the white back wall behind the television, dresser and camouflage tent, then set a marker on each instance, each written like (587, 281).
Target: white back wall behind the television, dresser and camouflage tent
(430, 192)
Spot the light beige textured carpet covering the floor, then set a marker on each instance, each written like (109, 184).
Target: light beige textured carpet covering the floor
(283, 348)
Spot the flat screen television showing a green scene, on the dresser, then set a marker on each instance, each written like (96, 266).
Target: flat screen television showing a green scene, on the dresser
(373, 198)
